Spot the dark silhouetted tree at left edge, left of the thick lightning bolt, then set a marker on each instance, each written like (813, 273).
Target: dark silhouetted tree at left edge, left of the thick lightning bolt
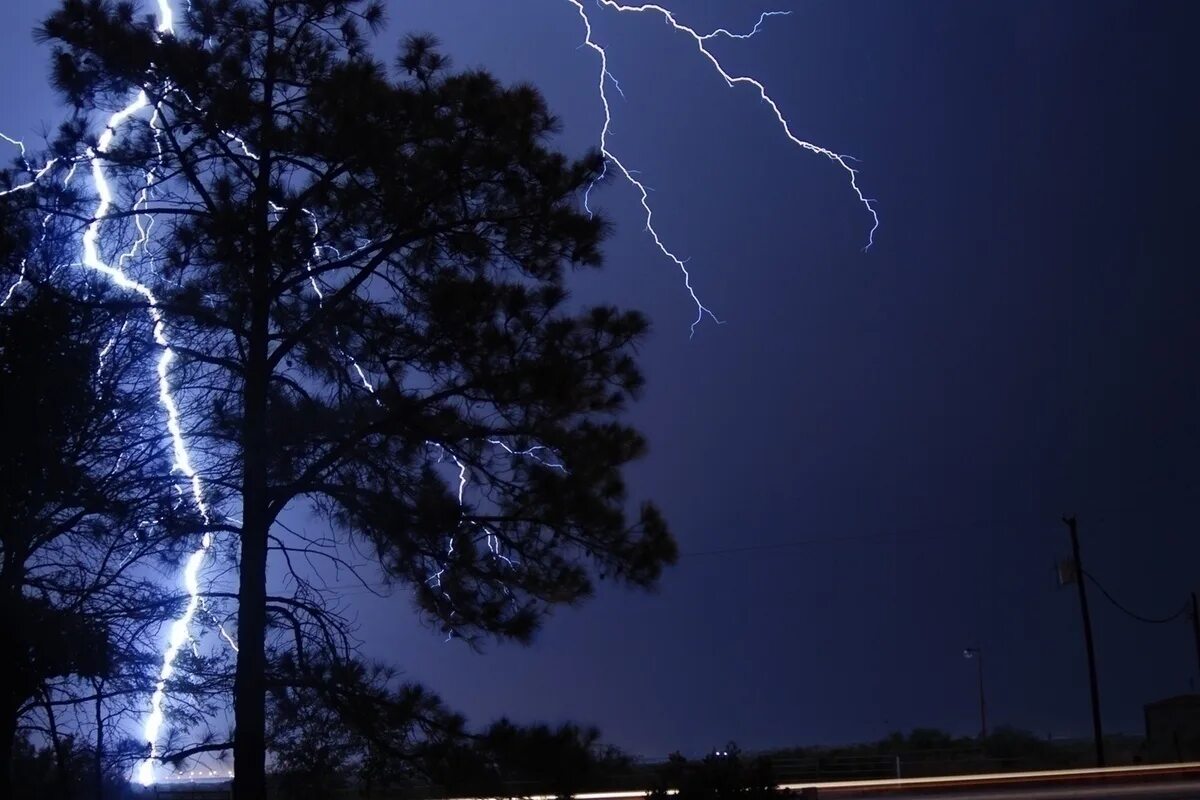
(86, 508)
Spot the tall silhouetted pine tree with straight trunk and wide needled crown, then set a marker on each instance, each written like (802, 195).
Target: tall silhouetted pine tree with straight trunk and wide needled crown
(364, 278)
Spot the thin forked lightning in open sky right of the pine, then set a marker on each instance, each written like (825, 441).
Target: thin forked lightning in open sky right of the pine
(731, 81)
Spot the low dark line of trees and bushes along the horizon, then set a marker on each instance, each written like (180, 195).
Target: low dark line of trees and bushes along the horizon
(512, 761)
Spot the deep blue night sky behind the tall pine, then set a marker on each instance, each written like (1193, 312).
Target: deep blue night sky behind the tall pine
(867, 466)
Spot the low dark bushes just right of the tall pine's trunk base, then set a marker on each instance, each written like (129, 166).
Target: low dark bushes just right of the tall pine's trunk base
(351, 727)
